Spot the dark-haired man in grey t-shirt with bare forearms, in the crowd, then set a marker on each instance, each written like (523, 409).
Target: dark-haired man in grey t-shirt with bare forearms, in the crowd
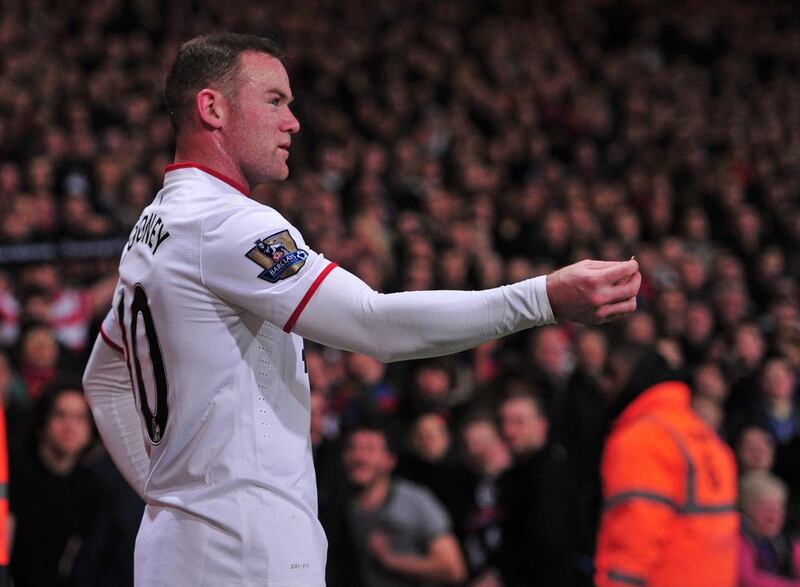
(402, 534)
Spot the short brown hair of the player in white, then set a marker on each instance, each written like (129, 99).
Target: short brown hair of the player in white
(205, 60)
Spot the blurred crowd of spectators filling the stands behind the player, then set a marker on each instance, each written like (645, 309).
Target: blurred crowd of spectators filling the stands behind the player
(445, 144)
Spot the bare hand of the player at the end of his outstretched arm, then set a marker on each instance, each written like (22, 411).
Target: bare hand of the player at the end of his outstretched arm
(593, 292)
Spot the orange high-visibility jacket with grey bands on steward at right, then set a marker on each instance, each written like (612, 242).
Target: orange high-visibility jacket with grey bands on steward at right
(669, 490)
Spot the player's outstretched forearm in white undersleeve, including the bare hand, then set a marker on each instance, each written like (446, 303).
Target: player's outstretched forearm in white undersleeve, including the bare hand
(346, 313)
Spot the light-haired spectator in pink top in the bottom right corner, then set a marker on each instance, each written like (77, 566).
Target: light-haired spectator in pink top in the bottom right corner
(768, 556)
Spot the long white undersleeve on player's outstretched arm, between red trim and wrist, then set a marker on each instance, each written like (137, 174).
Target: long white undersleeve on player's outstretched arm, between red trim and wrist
(346, 313)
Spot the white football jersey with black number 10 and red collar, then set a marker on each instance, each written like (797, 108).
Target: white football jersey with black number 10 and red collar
(211, 283)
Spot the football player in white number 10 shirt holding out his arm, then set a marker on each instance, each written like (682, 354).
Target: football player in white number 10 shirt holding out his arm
(197, 381)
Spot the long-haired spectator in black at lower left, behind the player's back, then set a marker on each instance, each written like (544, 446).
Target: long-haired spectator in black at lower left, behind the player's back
(53, 497)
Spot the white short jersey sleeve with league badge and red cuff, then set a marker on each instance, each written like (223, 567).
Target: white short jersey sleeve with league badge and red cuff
(257, 260)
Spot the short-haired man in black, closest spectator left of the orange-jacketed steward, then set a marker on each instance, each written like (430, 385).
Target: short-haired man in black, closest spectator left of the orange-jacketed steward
(537, 499)
